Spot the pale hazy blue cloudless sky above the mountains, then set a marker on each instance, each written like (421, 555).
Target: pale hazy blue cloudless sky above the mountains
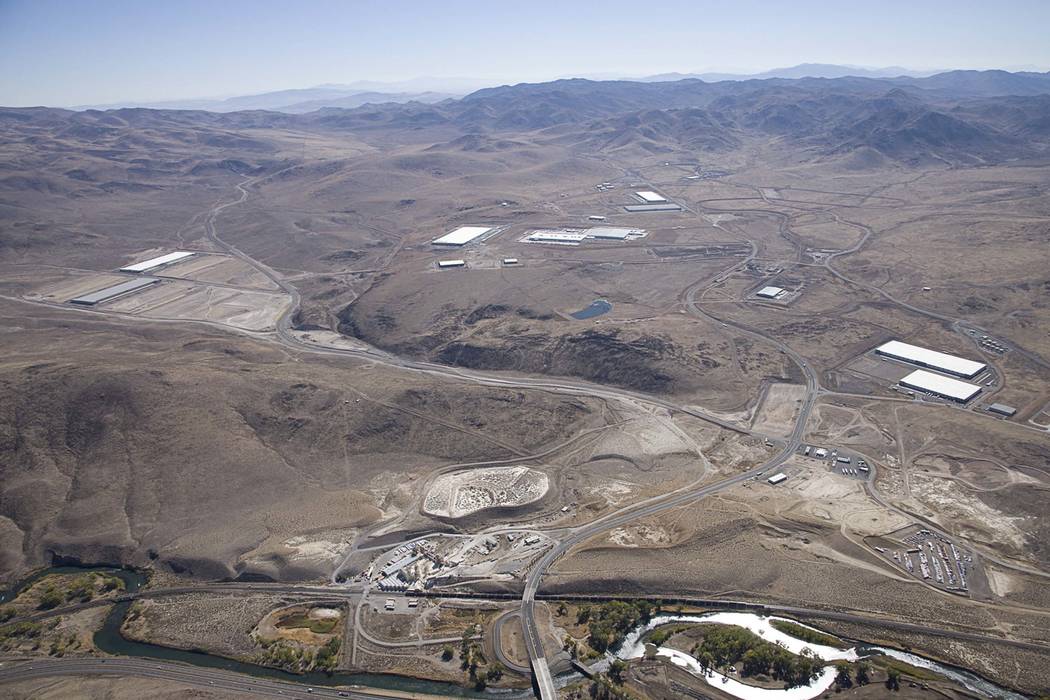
(76, 52)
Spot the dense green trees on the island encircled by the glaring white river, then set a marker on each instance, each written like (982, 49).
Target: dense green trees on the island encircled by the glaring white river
(724, 647)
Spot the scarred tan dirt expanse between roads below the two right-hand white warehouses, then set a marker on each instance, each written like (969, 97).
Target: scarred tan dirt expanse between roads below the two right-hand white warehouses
(977, 477)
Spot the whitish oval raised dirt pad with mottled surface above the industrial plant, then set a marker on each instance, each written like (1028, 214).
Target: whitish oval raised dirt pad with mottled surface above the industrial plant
(463, 494)
